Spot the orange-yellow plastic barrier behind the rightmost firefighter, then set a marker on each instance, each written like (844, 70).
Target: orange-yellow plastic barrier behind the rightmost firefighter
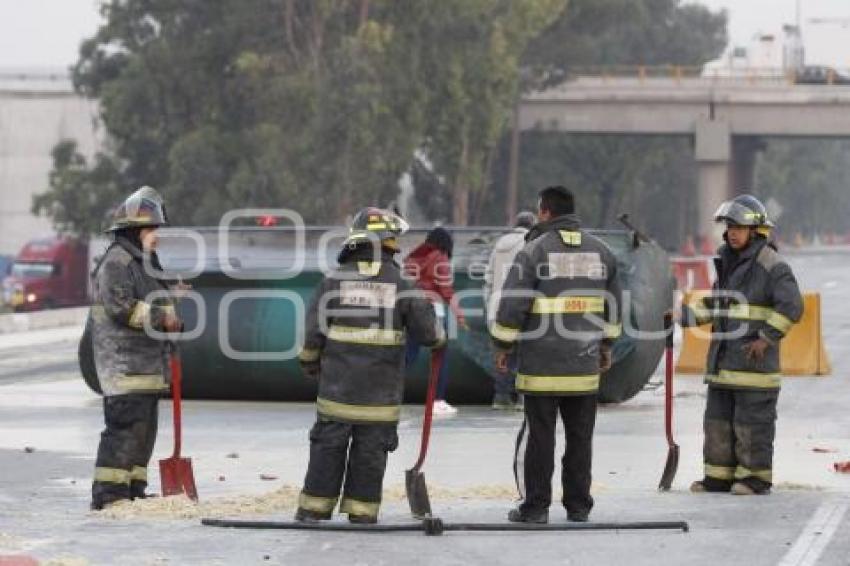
(802, 351)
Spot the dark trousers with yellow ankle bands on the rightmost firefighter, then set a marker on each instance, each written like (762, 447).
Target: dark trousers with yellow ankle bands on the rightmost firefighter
(740, 427)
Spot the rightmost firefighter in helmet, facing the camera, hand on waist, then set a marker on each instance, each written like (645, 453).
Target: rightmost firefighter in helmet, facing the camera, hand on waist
(753, 304)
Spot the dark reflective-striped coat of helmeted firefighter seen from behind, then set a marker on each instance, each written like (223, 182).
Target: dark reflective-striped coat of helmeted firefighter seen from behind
(356, 328)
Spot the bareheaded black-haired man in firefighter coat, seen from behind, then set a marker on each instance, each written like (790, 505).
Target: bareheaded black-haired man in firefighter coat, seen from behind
(559, 309)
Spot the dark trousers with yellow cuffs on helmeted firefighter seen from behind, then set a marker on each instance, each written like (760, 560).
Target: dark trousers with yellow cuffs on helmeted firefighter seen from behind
(355, 453)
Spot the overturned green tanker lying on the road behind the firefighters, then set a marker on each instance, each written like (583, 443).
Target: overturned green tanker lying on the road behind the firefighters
(250, 286)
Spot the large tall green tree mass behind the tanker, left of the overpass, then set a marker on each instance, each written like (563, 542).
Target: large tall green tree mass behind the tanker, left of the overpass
(317, 105)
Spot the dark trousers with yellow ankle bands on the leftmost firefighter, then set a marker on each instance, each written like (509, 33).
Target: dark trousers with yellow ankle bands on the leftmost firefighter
(126, 446)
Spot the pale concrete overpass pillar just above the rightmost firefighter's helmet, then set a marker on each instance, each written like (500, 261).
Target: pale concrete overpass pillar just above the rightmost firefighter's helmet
(713, 152)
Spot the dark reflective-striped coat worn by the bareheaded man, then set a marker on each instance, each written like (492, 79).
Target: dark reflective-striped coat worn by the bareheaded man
(561, 298)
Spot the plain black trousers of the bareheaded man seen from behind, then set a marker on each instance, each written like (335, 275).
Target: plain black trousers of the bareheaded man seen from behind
(579, 417)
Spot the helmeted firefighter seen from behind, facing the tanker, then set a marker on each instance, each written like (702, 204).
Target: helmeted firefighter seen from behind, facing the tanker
(354, 344)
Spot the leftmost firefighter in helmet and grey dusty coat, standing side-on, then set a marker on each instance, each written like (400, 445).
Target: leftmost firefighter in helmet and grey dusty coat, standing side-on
(130, 363)
